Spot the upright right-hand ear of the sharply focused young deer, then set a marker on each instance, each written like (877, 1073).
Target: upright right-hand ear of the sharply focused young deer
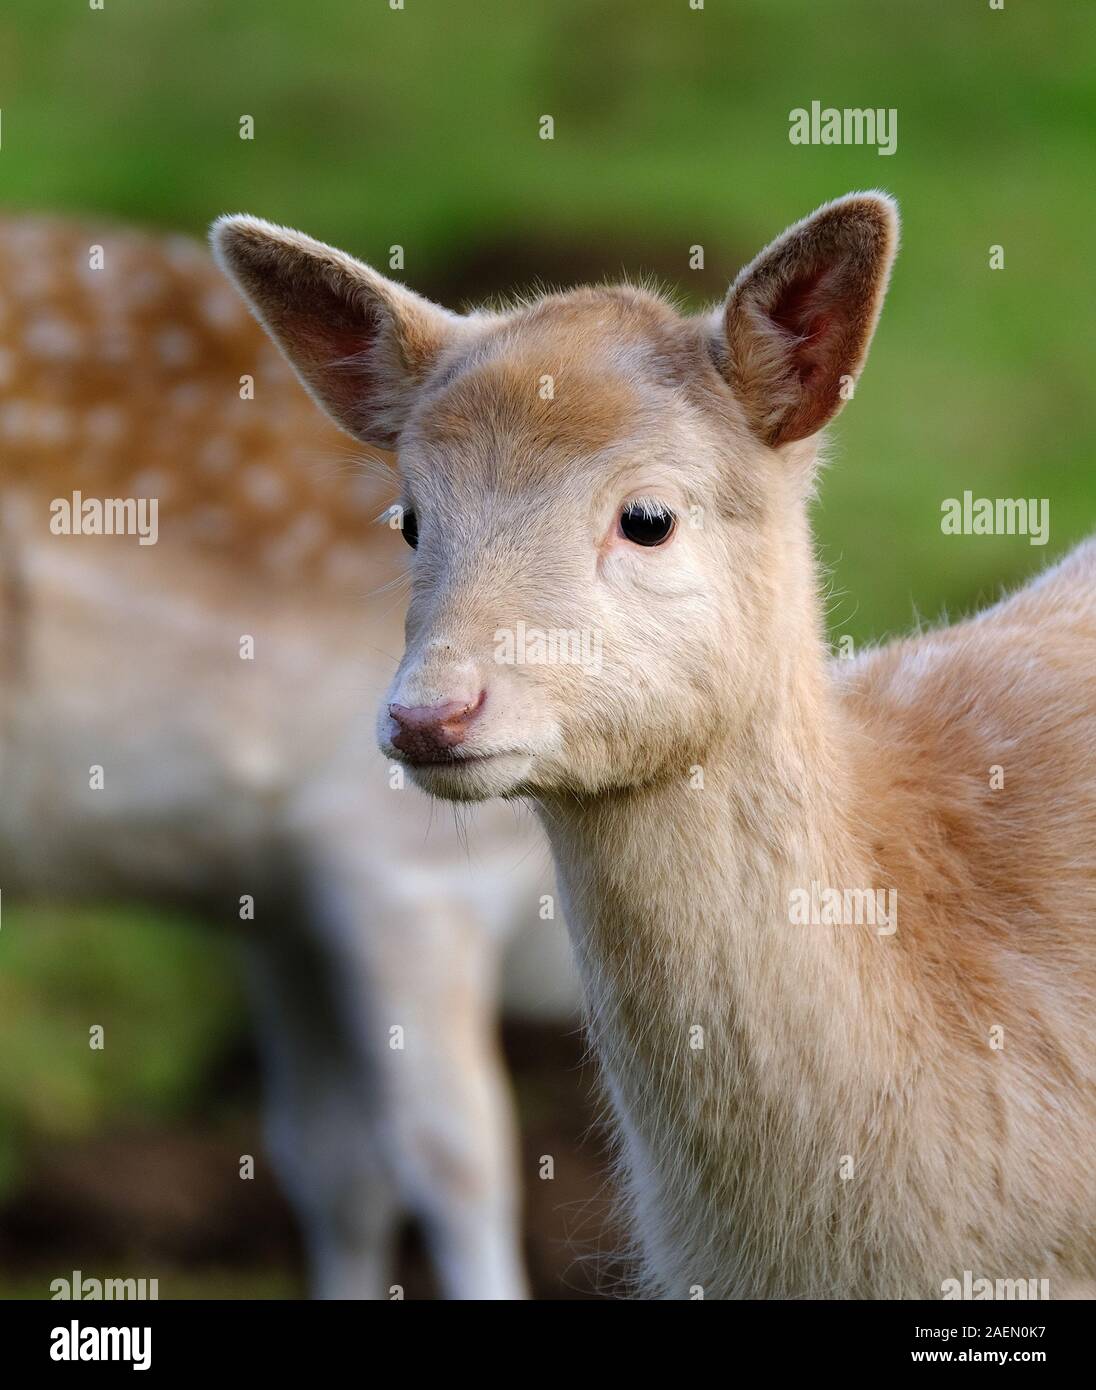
(799, 319)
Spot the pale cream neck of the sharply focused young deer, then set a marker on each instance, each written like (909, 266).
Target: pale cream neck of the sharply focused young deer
(736, 1045)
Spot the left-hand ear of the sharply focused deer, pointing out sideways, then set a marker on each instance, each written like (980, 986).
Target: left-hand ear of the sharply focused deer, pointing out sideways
(360, 343)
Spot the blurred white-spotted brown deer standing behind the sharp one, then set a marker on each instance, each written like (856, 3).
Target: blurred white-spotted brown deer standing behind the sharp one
(222, 679)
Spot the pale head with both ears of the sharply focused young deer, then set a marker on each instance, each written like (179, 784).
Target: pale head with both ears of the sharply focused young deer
(607, 501)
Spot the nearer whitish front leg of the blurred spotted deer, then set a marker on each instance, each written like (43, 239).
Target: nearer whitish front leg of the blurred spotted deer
(419, 971)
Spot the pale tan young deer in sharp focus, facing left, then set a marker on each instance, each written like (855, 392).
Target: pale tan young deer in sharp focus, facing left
(805, 1111)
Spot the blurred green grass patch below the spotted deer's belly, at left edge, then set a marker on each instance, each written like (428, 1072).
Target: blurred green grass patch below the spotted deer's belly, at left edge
(163, 992)
